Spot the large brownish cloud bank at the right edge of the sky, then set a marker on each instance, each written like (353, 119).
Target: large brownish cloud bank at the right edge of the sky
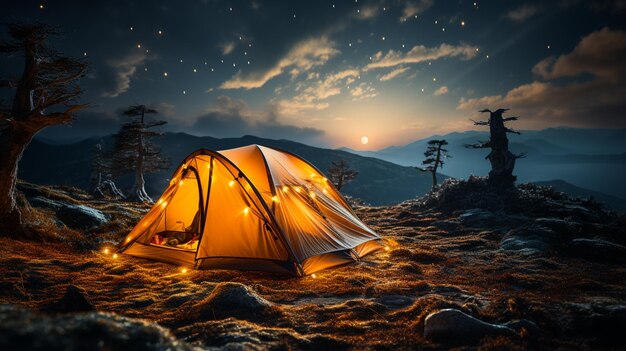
(584, 88)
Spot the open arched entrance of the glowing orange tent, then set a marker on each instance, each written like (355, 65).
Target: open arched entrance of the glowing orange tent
(180, 224)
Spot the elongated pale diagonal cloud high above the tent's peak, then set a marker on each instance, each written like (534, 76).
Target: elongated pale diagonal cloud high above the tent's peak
(302, 57)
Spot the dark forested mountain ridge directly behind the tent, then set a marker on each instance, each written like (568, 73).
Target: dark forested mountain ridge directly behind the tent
(379, 182)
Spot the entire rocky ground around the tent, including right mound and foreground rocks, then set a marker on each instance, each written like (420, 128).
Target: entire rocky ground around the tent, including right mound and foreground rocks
(468, 266)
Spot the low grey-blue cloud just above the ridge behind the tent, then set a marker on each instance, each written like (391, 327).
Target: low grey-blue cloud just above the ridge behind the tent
(232, 118)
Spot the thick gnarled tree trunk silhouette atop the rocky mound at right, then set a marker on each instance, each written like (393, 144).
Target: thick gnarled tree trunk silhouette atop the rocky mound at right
(502, 160)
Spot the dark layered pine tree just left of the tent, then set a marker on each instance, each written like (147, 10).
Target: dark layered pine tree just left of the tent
(135, 152)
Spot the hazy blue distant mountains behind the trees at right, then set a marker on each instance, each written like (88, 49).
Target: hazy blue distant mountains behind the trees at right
(594, 159)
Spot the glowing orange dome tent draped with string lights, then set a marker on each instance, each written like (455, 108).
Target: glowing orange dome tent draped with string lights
(255, 208)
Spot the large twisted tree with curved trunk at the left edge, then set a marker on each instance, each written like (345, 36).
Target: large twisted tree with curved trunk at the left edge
(45, 94)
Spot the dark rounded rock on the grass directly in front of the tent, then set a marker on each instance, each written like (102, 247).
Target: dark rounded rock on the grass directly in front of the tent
(232, 300)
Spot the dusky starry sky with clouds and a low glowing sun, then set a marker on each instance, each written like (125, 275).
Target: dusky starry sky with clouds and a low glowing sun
(328, 73)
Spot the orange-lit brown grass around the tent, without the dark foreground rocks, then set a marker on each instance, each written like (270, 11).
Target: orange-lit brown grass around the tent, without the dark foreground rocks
(379, 303)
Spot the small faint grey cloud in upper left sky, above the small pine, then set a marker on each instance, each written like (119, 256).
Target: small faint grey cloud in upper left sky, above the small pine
(117, 74)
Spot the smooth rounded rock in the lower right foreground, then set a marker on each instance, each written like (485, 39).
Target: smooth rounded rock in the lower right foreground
(453, 324)
